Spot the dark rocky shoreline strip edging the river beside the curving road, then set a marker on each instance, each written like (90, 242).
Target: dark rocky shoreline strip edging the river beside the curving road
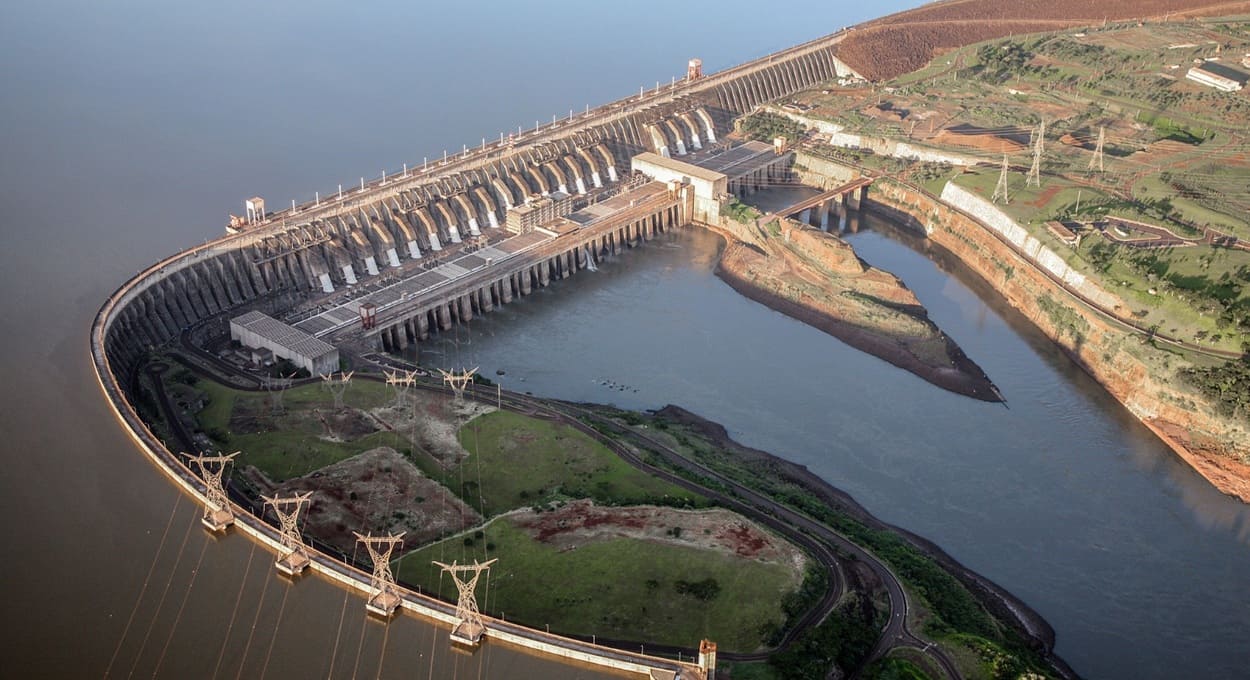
(1001, 603)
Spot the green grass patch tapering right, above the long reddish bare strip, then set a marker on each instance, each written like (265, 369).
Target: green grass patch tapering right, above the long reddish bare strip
(517, 462)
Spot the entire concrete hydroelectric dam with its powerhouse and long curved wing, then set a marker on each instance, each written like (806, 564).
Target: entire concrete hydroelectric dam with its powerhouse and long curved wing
(384, 264)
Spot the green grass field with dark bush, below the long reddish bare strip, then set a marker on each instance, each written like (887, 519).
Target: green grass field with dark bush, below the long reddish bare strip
(619, 588)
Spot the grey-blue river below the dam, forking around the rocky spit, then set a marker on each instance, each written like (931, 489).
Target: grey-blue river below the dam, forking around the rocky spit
(1059, 496)
